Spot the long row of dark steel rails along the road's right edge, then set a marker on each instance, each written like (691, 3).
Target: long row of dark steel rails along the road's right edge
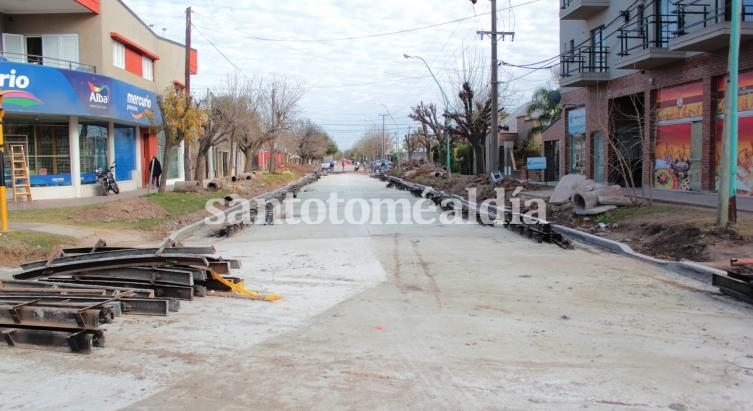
(528, 226)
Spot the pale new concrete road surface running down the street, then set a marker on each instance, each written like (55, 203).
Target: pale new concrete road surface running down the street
(413, 317)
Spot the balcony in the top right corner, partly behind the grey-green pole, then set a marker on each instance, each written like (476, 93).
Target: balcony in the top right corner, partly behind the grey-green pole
(705, 27)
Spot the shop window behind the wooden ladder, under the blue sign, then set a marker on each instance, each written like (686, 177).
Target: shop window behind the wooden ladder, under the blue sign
(47, 152)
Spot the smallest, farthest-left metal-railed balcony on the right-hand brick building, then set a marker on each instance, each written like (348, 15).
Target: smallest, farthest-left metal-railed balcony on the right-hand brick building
(585, 66)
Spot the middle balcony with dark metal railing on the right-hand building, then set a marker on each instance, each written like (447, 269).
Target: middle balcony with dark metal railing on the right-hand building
(643, 43)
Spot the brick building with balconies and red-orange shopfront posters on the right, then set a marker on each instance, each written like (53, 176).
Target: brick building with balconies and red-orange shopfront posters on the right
(643, 90)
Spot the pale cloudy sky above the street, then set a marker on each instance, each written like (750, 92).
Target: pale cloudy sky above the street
(348, 54)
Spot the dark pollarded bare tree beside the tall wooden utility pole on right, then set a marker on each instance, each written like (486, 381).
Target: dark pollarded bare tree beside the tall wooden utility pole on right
(472, 124)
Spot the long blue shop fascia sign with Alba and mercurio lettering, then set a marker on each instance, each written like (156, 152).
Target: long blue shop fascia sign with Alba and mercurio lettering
(31, 88)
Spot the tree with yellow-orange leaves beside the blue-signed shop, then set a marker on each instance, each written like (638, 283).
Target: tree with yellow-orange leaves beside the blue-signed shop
(181, 122)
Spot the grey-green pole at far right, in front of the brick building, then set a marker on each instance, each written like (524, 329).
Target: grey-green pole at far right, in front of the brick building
(728, 166)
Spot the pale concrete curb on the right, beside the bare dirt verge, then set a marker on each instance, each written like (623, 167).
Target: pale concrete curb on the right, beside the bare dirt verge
(688, 269)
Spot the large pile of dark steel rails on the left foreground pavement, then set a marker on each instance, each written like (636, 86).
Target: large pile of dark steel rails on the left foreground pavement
(61, 303)
